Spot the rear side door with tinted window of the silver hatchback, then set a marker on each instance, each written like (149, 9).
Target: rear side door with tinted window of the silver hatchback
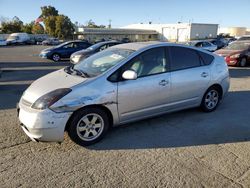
(189, 77)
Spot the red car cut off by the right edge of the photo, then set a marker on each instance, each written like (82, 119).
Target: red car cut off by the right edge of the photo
(237, 53)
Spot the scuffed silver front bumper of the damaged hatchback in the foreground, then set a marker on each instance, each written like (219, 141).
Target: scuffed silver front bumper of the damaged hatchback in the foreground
(43, 125)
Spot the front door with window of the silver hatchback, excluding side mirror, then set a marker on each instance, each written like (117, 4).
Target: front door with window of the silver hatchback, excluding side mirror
(150, 92)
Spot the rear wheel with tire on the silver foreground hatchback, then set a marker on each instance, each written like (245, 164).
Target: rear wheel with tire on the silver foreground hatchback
(211, 99)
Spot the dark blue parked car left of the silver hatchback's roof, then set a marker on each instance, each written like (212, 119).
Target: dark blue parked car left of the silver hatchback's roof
(64, 50)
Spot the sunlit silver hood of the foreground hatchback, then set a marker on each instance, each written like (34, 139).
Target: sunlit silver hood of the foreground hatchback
(55, 80)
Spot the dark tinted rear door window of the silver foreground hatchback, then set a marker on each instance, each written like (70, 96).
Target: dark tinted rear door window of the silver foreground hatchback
(183, 58)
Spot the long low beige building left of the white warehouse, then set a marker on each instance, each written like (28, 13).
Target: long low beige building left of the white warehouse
(133, 35)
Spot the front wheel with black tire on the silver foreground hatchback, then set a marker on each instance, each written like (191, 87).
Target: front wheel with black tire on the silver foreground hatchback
(88, 126)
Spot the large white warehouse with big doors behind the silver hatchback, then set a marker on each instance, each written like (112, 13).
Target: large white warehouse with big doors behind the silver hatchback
(180, 32)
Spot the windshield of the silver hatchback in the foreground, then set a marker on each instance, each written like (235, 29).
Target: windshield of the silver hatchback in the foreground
(102, 61)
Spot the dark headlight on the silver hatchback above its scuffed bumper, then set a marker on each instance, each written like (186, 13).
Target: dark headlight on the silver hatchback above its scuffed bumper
(50, 98)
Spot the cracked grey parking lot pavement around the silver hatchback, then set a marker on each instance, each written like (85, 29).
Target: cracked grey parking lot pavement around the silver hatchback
(184, 149)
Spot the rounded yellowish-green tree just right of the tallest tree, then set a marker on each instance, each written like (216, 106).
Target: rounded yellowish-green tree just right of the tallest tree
(64, 27)
